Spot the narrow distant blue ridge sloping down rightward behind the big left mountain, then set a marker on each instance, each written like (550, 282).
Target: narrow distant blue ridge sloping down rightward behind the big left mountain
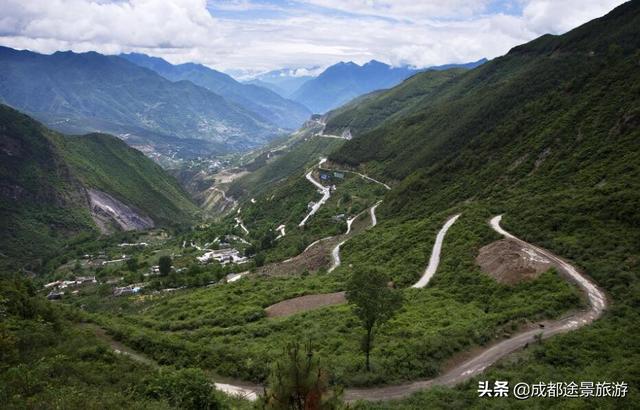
(264, 102)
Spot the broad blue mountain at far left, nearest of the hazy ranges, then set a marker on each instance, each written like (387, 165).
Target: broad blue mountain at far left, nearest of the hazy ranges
(90, 92)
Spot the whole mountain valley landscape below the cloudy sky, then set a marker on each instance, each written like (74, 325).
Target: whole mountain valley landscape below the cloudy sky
(437, 230)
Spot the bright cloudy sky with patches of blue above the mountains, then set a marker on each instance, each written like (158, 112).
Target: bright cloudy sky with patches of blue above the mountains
(250, 36)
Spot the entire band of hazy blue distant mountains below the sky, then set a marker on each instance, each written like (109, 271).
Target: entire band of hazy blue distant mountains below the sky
(170, 110)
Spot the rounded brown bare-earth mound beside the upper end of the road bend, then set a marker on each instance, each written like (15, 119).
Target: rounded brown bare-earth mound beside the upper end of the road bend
(509, 262)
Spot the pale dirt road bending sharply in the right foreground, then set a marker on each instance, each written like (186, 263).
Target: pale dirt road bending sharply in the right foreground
(475, 365)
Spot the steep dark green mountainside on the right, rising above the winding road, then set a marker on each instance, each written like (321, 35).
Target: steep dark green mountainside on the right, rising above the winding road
(547, 135)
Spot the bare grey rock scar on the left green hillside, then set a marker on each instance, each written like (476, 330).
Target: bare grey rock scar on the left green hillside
(108, 212)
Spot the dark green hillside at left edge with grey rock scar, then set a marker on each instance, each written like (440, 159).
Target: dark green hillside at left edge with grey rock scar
(54, 187)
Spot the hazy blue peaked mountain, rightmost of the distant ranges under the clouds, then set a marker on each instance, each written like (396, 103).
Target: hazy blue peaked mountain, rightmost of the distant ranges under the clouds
(343, 82)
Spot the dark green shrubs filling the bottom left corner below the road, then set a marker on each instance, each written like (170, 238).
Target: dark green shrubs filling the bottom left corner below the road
(48, 359)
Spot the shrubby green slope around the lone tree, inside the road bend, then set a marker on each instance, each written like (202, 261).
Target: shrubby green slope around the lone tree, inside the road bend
(223, 328)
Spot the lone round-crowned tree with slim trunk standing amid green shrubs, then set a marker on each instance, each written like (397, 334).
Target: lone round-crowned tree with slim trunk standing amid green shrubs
(373, 302)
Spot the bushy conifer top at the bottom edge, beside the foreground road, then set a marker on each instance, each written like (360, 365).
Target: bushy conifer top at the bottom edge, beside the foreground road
(298, 382)
